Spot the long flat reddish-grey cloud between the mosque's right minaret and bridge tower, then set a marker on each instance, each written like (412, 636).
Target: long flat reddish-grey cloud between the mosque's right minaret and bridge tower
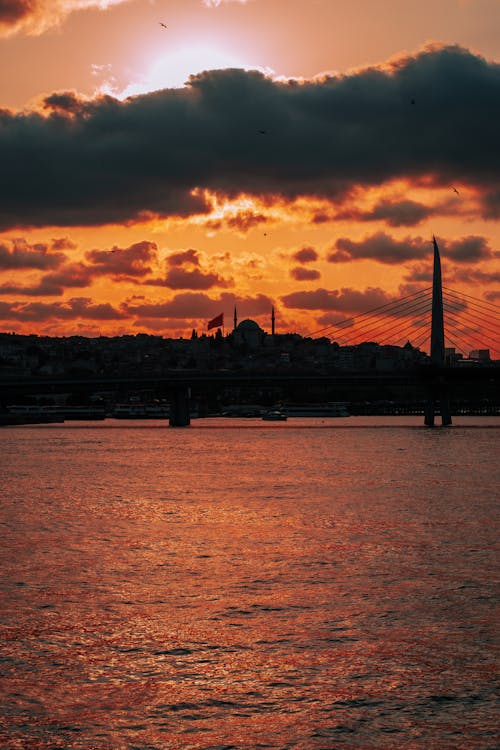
(338, 300)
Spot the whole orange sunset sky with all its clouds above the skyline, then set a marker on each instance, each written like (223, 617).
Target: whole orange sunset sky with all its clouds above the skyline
(163, 162)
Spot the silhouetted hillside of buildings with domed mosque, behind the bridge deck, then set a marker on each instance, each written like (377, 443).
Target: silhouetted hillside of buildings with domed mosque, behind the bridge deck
(247, 348)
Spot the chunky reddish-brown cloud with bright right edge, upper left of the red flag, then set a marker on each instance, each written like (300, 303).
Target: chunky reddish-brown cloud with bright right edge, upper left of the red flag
(133, 261)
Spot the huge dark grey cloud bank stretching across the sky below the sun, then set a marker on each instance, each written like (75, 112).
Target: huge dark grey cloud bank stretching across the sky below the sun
(103, 161)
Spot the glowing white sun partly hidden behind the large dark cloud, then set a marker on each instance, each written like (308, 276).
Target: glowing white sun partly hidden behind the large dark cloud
(173, 70)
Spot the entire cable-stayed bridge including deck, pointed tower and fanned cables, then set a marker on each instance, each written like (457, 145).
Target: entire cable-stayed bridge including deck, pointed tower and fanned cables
(435, 385)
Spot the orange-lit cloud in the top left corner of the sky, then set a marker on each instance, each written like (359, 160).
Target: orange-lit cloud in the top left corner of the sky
(37, 16)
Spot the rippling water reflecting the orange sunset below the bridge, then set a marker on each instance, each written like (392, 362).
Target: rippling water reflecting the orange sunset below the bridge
(301, 585)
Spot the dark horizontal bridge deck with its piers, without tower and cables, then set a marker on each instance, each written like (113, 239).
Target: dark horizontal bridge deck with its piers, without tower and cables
(413, 387)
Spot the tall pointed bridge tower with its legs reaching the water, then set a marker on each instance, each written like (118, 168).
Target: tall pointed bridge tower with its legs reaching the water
(437, 399)
